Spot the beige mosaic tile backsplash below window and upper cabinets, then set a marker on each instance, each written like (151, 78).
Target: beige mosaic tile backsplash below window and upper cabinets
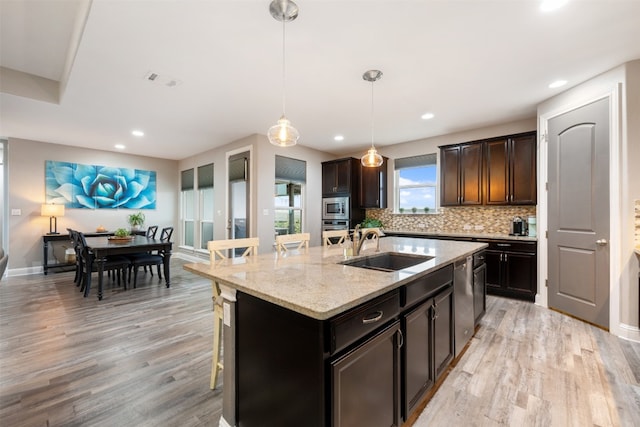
(472, 220)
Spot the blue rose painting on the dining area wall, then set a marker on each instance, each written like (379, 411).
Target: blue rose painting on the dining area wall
(99, 187)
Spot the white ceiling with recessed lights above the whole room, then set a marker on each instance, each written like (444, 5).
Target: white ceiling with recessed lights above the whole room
(471, 62)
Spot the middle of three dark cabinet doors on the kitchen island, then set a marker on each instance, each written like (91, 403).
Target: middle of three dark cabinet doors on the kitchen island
(418, 359)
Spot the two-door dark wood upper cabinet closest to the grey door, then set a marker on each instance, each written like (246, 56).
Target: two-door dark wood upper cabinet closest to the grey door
(510, 165)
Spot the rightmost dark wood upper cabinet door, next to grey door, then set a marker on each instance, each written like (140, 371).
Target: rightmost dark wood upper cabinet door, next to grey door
(523, 170)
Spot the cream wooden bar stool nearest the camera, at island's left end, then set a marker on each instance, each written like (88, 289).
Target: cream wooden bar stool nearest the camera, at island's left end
(220, 249)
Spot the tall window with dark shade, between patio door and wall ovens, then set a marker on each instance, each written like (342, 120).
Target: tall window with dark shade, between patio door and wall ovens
(290, 177)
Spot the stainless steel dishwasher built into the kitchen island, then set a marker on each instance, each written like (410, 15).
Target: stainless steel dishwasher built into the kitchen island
(463, 302)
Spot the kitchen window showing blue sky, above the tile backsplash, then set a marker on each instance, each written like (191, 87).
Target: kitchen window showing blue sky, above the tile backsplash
(415, 179)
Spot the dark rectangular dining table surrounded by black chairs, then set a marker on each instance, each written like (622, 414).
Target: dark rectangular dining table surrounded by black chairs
(99, 248)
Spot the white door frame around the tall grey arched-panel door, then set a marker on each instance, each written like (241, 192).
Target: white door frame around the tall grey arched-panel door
(613, 93)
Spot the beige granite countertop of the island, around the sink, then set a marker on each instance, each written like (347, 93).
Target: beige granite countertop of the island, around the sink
(313, 283)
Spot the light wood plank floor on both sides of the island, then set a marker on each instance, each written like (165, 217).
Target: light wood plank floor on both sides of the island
(142, 358)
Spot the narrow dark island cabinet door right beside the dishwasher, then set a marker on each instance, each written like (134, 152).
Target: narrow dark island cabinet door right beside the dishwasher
(443, 331)
